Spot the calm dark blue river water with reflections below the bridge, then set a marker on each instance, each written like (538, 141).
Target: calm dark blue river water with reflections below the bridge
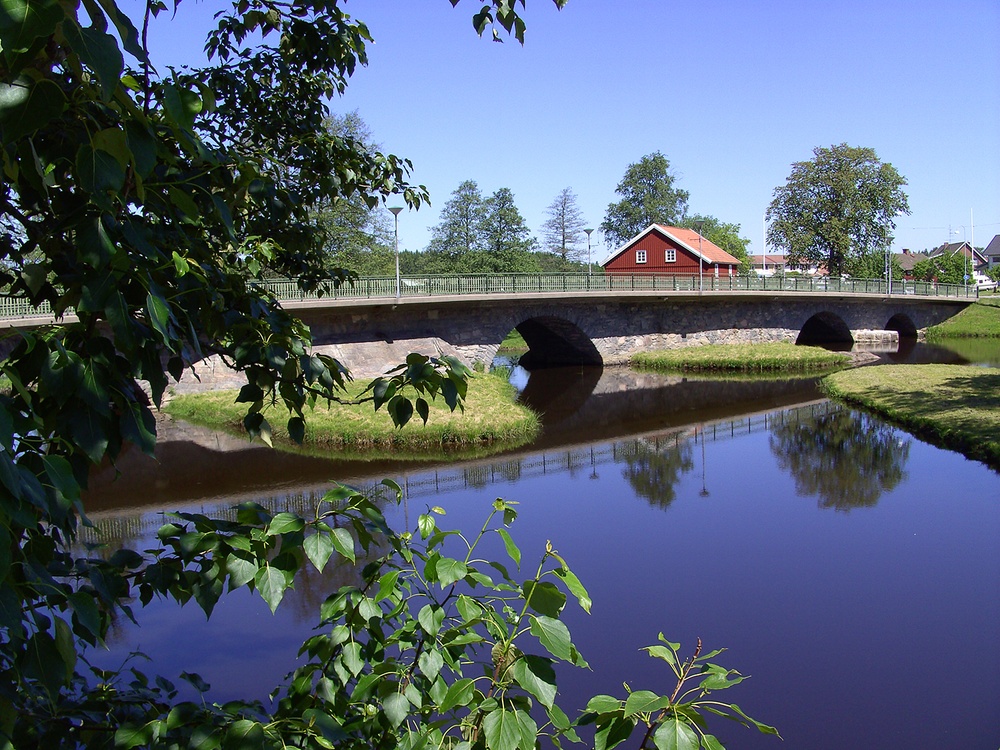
(847, 566)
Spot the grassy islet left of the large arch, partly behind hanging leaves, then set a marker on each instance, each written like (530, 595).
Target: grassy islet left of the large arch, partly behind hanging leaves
(492, 421)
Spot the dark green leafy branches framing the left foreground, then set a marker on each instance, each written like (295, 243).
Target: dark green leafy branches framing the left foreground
(149, 206)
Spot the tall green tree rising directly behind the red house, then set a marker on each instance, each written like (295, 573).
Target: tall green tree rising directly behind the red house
(649, 196)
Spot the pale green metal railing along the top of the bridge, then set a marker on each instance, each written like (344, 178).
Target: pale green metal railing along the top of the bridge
(384, 287)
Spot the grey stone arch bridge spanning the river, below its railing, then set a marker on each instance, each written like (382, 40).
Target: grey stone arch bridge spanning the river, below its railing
(371, 335)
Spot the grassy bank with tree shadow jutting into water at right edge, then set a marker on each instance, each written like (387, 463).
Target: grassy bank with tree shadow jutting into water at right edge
(954, 406)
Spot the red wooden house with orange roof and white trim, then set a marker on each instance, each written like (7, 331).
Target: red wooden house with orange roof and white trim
(661, 249)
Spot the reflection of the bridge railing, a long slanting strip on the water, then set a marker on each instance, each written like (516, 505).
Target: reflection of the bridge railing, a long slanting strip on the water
(127, 527)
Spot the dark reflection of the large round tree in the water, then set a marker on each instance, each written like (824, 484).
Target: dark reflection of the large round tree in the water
(846, 458)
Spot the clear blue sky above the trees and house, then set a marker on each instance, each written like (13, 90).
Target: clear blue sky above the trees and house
(732, 93)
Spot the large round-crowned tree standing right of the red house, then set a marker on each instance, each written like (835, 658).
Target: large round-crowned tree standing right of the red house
(838, 206)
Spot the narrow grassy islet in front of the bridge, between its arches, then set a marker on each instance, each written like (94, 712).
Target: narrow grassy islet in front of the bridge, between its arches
(766, 357)
